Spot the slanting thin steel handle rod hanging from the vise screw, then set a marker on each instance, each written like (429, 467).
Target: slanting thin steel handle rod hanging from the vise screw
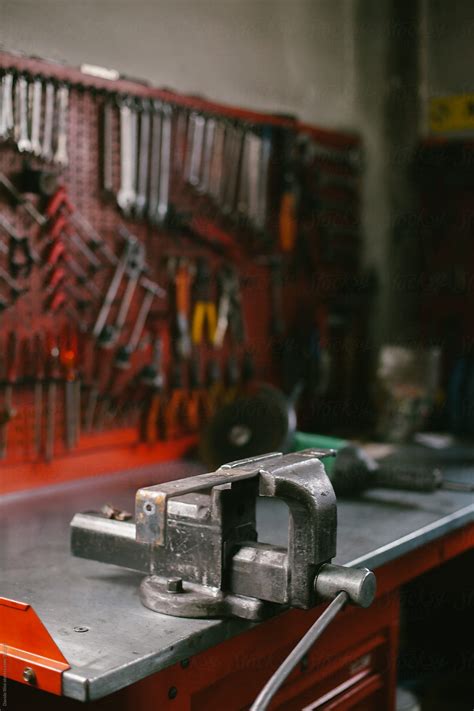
(284, 670)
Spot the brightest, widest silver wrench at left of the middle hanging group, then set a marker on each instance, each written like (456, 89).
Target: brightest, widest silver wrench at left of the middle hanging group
(128, 125)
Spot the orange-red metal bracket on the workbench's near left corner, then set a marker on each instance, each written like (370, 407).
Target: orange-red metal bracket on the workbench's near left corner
(28, 653)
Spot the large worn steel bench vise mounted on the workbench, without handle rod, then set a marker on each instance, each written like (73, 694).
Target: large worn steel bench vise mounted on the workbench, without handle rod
(196, 540)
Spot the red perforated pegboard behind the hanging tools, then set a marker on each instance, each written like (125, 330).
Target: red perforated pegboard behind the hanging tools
(223, 241)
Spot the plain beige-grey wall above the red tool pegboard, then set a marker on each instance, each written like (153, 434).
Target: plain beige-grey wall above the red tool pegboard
(287, 55)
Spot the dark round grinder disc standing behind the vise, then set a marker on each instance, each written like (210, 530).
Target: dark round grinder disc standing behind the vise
(253, 424)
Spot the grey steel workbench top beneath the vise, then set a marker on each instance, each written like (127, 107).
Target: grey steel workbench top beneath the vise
(125, 641)
